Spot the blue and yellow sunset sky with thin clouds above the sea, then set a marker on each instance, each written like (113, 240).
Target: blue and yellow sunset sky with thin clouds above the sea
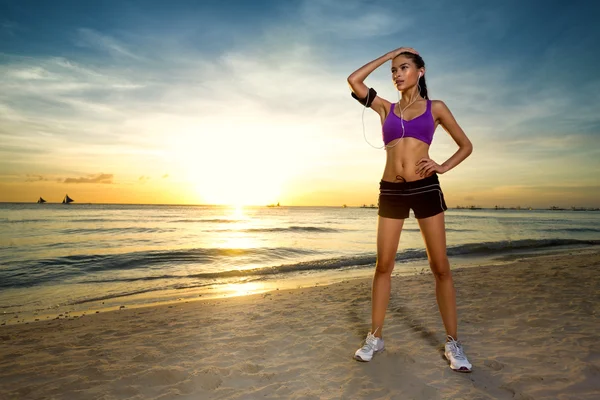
(238, 102)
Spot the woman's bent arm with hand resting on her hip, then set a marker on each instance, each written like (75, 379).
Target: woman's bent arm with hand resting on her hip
(426, 166)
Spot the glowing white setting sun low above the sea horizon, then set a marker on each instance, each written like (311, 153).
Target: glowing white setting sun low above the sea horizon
(227, 170)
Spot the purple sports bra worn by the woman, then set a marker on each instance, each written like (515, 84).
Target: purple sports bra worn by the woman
(421, 127)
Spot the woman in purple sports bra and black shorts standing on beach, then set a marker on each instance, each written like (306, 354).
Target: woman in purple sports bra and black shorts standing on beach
(410, 180)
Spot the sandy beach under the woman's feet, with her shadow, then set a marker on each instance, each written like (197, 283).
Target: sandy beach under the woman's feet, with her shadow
(530, 328)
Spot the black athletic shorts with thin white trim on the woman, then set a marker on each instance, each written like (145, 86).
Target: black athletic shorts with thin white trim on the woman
(424, 196)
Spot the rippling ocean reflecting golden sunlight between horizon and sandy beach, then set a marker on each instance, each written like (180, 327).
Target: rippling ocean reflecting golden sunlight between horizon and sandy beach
(73, 258)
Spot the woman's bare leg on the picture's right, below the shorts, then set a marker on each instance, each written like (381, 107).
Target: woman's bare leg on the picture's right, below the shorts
(434, 234)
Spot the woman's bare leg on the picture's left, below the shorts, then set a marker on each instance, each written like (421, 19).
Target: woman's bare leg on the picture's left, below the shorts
(388, 237)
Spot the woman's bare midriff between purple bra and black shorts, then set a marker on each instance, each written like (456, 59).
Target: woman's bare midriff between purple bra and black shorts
(402, 158)
